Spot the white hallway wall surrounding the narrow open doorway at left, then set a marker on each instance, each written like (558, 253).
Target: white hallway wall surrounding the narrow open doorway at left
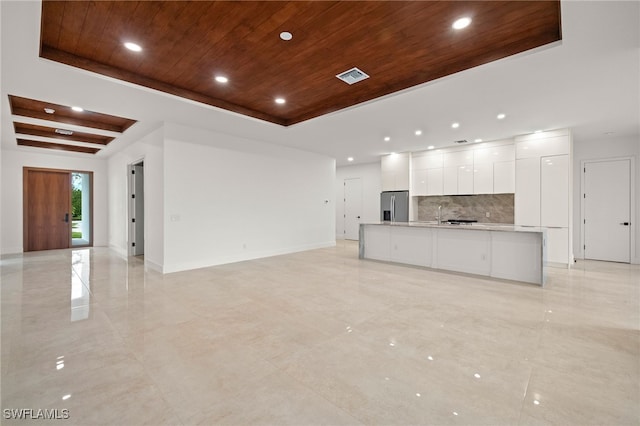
(150, 149)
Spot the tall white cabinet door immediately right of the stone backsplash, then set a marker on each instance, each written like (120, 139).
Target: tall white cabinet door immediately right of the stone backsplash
(527, 195)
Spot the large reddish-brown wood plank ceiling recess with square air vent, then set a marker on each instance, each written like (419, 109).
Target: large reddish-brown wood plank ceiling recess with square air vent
(185, 44)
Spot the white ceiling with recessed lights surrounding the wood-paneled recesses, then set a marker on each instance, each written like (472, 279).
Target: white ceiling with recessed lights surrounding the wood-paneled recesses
(589, 82)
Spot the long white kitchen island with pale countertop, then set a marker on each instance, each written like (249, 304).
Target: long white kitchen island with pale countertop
(499, 251)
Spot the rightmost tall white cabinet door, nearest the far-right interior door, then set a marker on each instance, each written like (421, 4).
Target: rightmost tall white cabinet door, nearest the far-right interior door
(554, 191)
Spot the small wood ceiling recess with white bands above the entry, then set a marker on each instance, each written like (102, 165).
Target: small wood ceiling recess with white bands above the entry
(90, 138)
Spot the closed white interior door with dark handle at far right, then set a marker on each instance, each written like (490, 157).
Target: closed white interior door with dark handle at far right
(607, 210)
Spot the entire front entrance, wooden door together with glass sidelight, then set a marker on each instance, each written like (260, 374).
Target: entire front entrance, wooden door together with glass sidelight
(57, 209)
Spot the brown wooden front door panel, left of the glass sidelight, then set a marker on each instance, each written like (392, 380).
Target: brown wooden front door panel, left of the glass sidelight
(47, 208)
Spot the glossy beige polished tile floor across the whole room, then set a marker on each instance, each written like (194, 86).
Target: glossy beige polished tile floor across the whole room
(318, 337)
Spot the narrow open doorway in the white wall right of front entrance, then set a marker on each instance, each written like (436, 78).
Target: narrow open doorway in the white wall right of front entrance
(136, 208)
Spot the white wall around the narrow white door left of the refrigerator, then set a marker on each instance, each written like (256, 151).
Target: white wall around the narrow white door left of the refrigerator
(371, 179)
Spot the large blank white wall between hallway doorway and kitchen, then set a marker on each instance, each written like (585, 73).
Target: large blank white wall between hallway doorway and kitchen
(229, 199)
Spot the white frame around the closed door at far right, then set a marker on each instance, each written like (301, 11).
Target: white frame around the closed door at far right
(632, 203)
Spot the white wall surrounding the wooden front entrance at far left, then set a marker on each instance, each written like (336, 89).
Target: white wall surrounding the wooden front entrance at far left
(12, 163)
